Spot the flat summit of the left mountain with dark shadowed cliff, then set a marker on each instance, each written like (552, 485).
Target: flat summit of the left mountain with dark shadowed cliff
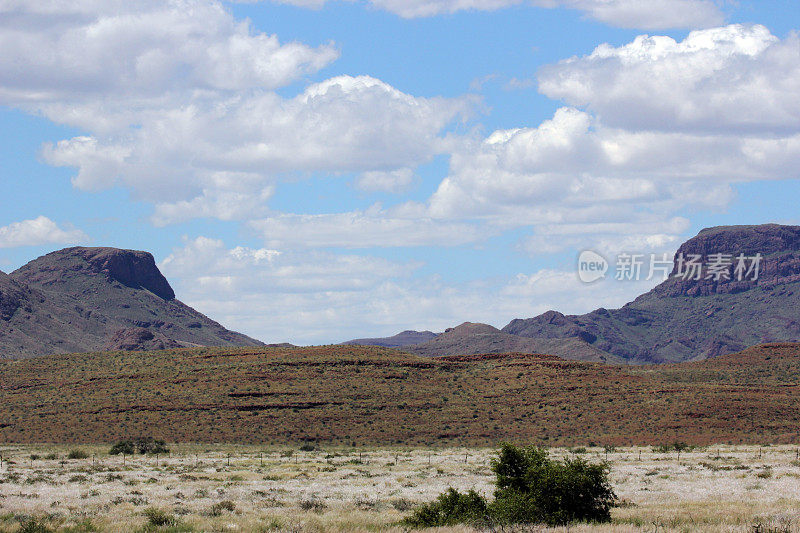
(134, 269)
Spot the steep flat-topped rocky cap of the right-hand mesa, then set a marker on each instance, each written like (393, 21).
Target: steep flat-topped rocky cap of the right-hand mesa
(777, 248)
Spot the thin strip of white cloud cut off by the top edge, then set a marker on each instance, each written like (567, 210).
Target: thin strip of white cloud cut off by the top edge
(650, 14)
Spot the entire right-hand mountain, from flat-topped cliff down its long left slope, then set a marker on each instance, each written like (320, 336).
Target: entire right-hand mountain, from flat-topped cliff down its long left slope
(694, 319)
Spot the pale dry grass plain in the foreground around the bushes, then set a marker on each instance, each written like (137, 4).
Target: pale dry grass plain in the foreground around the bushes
(719, 489)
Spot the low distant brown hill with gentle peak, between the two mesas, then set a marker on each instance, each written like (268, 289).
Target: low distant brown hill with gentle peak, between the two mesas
(471, 338)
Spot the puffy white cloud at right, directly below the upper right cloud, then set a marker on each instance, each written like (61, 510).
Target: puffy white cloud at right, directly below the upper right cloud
(573, 169)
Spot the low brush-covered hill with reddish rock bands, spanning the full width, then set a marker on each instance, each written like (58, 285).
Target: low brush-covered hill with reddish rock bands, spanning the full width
(368, 395)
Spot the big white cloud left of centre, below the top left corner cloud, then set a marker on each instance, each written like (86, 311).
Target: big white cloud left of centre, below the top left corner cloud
(175, 155)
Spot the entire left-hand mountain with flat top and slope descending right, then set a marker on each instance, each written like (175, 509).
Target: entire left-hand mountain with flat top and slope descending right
(89, 299)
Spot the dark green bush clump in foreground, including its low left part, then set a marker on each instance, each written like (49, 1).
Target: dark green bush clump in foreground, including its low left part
(530, 488)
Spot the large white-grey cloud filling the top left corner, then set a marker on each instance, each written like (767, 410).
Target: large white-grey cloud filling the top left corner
(89, 49)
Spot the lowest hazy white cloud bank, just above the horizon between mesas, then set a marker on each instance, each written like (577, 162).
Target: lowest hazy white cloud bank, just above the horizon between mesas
(318, 297)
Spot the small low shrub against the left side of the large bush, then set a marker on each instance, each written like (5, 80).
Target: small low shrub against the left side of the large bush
(449, 509)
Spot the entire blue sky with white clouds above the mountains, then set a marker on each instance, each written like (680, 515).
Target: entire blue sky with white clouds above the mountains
(313, 171)
